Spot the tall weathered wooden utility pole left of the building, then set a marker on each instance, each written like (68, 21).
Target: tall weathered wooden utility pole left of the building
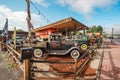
(29, 23)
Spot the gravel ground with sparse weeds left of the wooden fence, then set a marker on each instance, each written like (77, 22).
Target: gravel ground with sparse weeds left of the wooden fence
(8, 69)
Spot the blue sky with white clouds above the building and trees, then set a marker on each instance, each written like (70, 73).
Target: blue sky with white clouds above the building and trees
(88, 12)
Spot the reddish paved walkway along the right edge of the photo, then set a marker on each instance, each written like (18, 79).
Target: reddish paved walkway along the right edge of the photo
(111, 62)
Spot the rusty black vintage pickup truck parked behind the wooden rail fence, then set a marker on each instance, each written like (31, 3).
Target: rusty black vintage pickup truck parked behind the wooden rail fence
(58, 46)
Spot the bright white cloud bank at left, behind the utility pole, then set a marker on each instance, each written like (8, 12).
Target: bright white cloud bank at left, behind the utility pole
(17, 18)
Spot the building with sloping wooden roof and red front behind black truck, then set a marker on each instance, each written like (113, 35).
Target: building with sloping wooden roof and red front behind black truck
(64, 27)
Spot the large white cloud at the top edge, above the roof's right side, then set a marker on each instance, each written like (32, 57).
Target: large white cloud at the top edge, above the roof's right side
(86, 7)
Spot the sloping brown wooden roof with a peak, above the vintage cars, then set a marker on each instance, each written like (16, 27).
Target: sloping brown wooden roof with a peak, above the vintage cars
(69, 23)
